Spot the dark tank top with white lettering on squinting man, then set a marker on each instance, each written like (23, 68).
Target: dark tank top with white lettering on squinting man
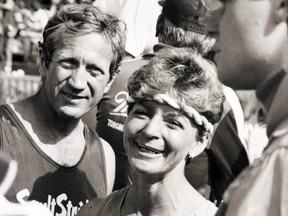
(63, 189)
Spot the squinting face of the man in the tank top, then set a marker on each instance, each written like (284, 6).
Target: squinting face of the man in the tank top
(77, 75)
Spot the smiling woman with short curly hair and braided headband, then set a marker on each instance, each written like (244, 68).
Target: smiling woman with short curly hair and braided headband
(174, 100)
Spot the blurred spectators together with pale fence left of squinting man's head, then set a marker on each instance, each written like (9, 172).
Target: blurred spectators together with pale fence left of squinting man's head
(21, 25)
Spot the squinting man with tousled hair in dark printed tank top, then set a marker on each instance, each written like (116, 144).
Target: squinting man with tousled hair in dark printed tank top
(62, 163)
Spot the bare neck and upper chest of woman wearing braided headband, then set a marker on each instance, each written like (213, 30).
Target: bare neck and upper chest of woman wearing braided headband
(162, 198)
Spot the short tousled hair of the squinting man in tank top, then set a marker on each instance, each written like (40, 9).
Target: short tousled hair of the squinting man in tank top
(81, 19)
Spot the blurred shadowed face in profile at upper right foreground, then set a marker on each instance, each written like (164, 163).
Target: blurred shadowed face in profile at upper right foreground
(249, 45)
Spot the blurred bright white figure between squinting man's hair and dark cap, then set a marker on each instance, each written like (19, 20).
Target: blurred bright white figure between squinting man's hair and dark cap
(140, 17)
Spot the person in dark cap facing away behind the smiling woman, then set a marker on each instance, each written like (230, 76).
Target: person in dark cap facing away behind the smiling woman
(181, 24)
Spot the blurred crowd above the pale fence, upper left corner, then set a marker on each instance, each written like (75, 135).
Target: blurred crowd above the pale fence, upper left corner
(21, 24)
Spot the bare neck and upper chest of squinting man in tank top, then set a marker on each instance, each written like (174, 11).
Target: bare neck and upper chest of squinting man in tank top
(61, 139)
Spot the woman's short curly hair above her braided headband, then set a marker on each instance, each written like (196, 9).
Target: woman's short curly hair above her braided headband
(185, 76)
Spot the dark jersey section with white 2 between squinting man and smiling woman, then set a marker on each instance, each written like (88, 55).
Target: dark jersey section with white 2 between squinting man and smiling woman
(111, 115)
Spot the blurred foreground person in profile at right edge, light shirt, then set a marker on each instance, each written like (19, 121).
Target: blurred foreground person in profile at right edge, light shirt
(253, 54)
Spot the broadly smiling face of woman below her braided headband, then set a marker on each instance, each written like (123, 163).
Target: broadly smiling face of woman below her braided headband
(158, 138)
